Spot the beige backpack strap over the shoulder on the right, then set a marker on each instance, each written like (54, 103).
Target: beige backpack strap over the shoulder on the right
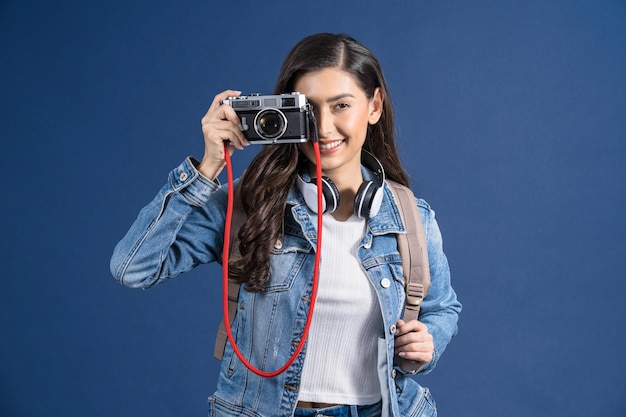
(413, 251)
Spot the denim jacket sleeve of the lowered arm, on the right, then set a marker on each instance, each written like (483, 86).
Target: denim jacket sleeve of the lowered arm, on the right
(440, 309)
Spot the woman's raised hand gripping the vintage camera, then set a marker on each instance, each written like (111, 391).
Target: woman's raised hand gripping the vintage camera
(220, 124)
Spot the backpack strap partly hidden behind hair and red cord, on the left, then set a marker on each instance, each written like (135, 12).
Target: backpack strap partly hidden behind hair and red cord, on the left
(239, 216)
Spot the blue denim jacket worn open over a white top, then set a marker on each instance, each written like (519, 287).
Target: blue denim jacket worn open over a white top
(183, 227)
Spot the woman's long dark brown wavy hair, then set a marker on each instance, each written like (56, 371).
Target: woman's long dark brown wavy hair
(266, 183)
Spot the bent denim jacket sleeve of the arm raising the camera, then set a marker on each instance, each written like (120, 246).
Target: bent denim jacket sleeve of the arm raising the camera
(183, 226)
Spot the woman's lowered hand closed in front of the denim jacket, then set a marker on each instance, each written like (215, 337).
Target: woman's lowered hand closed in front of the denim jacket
(414, 345)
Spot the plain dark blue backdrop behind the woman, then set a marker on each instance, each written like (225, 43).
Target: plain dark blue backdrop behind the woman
(511, 122)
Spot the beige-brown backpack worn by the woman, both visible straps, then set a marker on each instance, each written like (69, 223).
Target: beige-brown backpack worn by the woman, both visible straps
(411, 245)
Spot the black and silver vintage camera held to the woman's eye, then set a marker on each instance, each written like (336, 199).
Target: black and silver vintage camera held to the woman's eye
(282, 118)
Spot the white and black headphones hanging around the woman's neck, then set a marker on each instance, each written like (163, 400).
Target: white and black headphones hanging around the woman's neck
(367, 200)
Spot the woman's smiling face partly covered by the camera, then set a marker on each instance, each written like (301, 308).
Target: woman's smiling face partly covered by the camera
(343, 114)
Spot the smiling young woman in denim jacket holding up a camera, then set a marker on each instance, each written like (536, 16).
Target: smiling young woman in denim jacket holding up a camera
(357, 316)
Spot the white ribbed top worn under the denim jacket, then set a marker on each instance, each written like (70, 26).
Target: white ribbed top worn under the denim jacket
(341, 355)
